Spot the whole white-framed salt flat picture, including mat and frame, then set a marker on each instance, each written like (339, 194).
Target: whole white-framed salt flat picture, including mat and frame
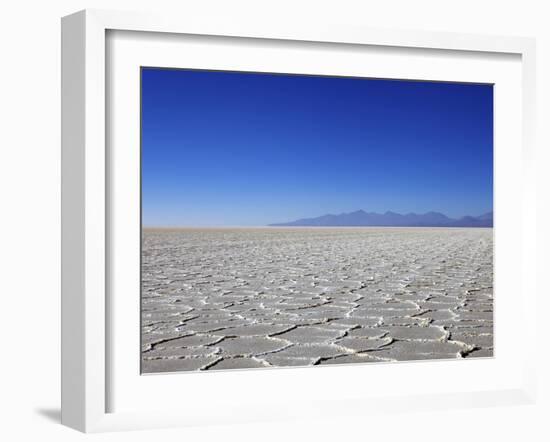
(287, 218)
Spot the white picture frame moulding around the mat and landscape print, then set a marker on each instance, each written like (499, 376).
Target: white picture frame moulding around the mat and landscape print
(87, 318)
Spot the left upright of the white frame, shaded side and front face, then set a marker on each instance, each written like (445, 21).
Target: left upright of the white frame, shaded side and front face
(83, 345)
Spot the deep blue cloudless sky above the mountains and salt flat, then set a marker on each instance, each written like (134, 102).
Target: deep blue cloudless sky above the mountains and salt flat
(223, 148)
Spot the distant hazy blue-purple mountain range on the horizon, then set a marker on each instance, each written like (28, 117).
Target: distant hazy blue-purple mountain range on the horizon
(392, 219)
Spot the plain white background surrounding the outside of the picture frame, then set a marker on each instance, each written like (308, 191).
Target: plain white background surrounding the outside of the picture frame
(30, 214)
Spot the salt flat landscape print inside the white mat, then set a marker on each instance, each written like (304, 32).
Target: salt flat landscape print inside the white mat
(304, 220)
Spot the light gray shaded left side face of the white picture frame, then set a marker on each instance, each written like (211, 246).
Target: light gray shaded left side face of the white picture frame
(73, 102)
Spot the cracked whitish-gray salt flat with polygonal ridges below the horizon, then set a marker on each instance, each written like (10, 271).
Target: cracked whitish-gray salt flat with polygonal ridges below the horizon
(258, 297)
